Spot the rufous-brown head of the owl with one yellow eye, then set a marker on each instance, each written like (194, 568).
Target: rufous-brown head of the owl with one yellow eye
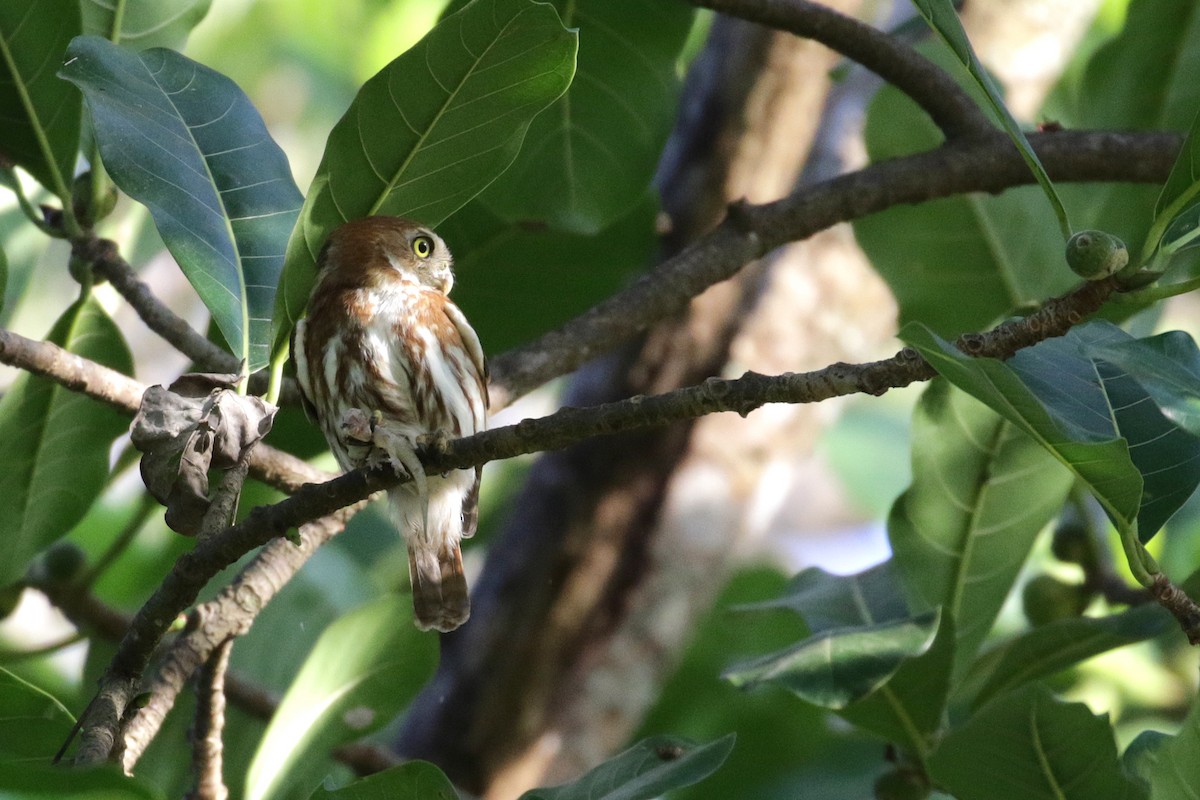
(381, 250)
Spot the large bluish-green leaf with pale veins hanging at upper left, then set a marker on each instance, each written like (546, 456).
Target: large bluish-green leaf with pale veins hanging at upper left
(188, 143)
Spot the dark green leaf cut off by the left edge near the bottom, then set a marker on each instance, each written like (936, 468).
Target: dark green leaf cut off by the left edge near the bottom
(33, 724)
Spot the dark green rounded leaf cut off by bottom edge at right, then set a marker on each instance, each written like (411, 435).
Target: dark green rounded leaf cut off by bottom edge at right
(1030, 745)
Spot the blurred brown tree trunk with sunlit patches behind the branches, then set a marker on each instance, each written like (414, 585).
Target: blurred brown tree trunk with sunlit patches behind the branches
(616, 549)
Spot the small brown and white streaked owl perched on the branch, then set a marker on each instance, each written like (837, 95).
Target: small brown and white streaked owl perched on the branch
(386, 360)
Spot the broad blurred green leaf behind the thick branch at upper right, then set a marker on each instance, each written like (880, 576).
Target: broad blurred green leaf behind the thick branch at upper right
(993, 255)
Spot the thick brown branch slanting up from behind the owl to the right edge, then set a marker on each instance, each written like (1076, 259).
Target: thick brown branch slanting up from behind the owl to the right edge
(989, 165)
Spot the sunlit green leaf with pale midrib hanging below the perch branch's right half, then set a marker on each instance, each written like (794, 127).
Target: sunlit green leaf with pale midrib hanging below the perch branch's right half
(982, 491)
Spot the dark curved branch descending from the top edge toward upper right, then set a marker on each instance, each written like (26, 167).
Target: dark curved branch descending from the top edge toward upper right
(951, 109)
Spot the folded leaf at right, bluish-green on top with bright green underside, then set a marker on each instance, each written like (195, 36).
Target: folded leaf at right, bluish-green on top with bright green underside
(1089, 414)
